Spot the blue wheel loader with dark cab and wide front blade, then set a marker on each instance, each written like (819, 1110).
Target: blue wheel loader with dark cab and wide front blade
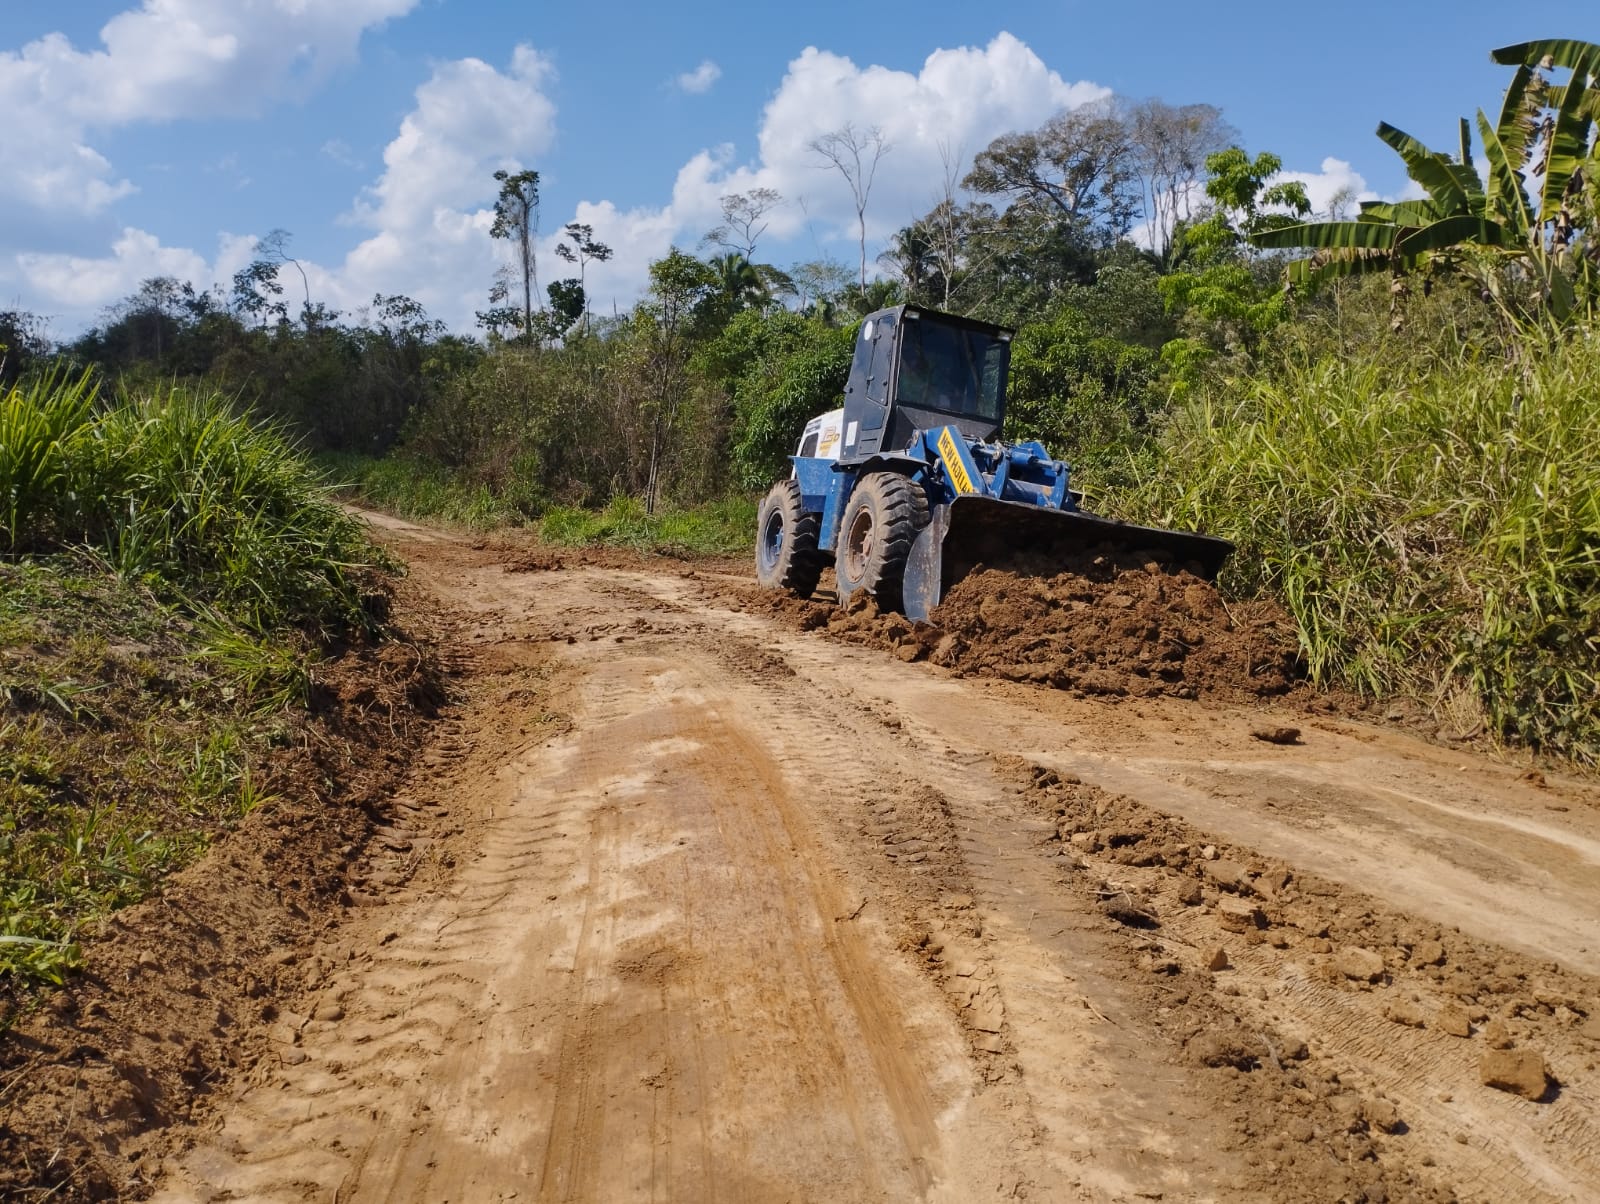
(908, 488)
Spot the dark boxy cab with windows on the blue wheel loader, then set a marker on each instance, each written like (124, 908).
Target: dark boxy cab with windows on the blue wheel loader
(922, 371)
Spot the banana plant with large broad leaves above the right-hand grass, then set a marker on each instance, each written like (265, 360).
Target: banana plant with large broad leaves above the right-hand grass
(1535, 215)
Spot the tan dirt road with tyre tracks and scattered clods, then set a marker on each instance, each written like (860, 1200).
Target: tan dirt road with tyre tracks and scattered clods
(697, 905)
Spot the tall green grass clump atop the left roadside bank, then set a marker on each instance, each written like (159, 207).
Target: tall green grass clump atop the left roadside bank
(182, 492)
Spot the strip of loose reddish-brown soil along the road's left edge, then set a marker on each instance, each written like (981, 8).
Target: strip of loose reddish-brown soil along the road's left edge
(178, 992)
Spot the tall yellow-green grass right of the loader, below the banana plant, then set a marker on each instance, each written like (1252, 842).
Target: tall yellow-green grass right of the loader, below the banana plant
(1434, 531)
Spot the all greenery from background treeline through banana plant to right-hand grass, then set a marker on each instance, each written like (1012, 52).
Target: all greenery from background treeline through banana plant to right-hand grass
(1401, 443)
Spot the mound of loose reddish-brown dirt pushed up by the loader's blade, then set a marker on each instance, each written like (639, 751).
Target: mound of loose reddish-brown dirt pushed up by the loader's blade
(1103, 624)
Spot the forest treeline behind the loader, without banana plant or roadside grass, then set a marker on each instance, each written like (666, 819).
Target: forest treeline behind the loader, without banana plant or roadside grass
(705, 383)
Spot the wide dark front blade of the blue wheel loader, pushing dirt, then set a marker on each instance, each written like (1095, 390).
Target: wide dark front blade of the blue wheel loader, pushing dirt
(975, 532)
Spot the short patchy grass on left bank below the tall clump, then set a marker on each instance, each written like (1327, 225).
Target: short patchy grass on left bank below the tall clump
(124, 748)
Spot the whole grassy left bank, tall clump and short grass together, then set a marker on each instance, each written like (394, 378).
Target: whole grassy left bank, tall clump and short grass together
(170, 576)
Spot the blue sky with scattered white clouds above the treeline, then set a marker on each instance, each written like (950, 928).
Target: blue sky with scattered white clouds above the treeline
(166, 137)
